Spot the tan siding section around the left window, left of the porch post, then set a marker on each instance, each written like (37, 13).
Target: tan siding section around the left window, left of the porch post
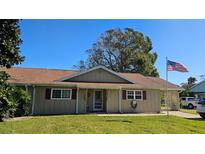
(43, 106)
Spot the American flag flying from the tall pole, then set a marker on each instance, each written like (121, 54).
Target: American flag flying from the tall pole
(174, 66)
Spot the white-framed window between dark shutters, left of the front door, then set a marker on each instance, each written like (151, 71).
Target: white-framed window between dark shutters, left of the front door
(61, 94)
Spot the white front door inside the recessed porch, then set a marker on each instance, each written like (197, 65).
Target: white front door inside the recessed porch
(98, 100)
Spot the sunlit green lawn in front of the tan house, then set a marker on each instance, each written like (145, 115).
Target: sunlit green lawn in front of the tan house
(92, 124)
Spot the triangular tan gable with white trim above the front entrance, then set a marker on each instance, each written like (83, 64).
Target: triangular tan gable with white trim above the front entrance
(97, 74)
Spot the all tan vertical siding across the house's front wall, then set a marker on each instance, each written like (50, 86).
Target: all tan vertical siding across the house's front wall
(110, 102)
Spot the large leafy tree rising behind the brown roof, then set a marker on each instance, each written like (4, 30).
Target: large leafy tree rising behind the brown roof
(123, 51)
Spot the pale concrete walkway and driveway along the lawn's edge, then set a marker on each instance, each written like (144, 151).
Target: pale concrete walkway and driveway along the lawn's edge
(163, 113)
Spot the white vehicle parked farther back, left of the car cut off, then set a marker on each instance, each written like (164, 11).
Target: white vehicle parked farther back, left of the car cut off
(188, 102)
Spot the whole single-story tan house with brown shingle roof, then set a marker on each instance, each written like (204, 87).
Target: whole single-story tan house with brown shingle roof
(96, 90)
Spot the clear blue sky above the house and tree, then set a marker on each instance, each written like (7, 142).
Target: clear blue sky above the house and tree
(60, 44)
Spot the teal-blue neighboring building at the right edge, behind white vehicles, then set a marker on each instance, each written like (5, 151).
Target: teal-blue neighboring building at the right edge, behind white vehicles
(199, 89)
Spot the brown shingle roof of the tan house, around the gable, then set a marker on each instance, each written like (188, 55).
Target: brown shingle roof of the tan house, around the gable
(49, 76)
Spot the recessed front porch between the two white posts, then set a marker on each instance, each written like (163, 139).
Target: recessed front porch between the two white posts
(98, 100)
